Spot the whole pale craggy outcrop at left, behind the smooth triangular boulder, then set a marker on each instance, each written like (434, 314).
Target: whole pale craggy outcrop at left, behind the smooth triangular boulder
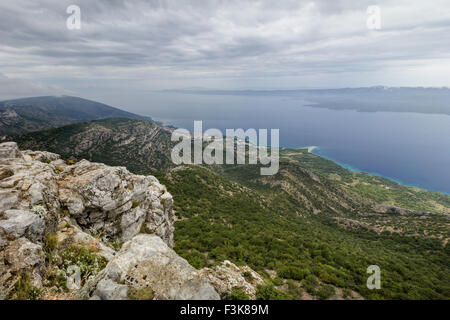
(80, 204)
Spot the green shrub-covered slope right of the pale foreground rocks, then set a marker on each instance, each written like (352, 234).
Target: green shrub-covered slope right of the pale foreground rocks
(300, 252)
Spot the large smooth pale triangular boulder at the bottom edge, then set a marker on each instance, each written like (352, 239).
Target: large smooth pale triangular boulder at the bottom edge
(146, 263)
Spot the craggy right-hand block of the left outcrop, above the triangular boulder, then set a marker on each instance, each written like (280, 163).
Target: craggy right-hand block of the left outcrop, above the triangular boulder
(111, 201)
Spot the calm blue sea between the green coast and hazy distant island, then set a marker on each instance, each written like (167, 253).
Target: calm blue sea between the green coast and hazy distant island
(410, 148)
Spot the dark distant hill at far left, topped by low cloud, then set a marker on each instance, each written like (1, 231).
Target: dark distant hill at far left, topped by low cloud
(40, 113)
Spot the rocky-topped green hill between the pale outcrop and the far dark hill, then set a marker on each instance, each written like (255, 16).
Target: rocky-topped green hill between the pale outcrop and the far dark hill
(138, 145)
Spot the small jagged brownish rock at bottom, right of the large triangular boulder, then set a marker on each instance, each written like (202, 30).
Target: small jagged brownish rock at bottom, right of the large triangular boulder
(228, 277)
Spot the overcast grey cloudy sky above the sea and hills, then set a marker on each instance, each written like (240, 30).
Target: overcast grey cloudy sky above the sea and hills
(128, 48)
